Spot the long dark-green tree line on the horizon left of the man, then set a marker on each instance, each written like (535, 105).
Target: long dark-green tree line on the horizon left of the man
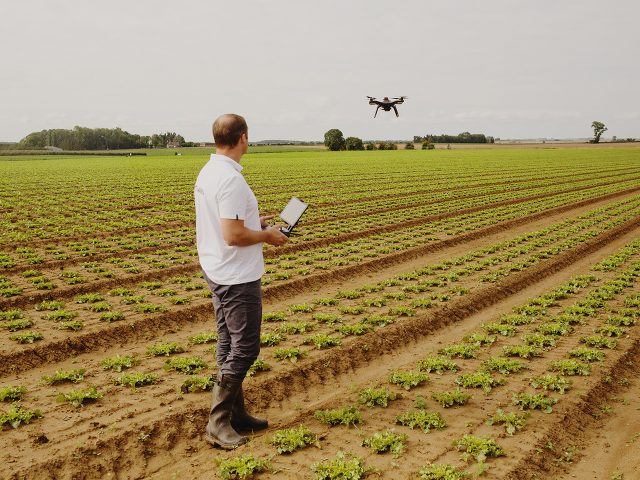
(82, 138)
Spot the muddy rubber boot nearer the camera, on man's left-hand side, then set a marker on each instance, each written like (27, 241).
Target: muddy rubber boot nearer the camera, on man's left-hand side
(219, 430)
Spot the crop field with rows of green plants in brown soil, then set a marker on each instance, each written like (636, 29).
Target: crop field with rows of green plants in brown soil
(442, 314)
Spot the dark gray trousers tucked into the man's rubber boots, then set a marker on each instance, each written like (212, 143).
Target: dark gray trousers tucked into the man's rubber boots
(238, 311)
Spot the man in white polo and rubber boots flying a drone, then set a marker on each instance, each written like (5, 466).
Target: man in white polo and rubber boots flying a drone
(230, 234)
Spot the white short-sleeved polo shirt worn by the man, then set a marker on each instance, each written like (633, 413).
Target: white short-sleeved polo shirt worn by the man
(222, 192)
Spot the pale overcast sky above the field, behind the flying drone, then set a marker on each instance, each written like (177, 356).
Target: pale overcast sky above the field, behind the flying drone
(296, 68)
